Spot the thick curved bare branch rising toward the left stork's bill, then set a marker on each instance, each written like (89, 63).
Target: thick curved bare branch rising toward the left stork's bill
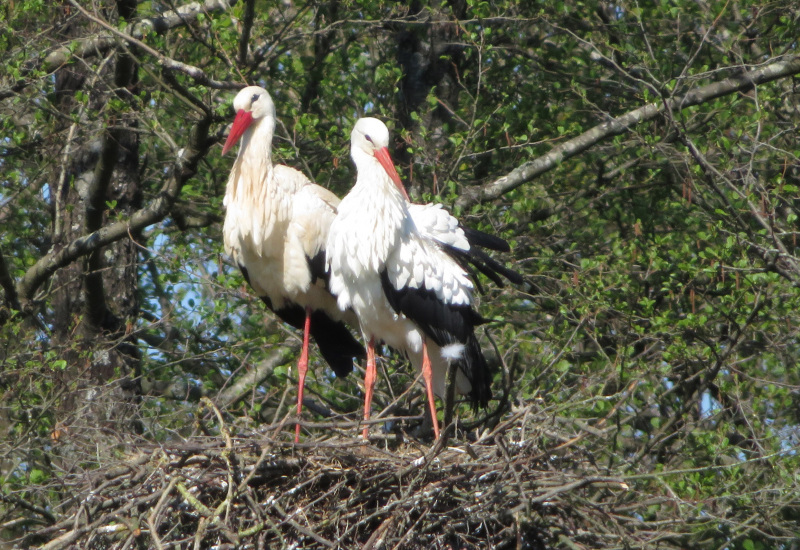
(184, 168)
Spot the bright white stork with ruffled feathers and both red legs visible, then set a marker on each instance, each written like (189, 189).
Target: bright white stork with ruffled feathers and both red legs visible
(406, 280)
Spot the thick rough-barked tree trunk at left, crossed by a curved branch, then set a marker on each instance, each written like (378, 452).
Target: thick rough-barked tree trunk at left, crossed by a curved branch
(95, 301)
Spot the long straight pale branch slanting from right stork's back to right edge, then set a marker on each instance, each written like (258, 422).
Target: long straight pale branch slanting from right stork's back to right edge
(621, 124)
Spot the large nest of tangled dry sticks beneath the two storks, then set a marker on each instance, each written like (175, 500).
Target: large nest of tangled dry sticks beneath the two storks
(499, 490)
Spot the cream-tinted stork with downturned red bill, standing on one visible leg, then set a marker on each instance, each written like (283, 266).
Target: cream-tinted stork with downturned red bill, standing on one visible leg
(276, 226)
